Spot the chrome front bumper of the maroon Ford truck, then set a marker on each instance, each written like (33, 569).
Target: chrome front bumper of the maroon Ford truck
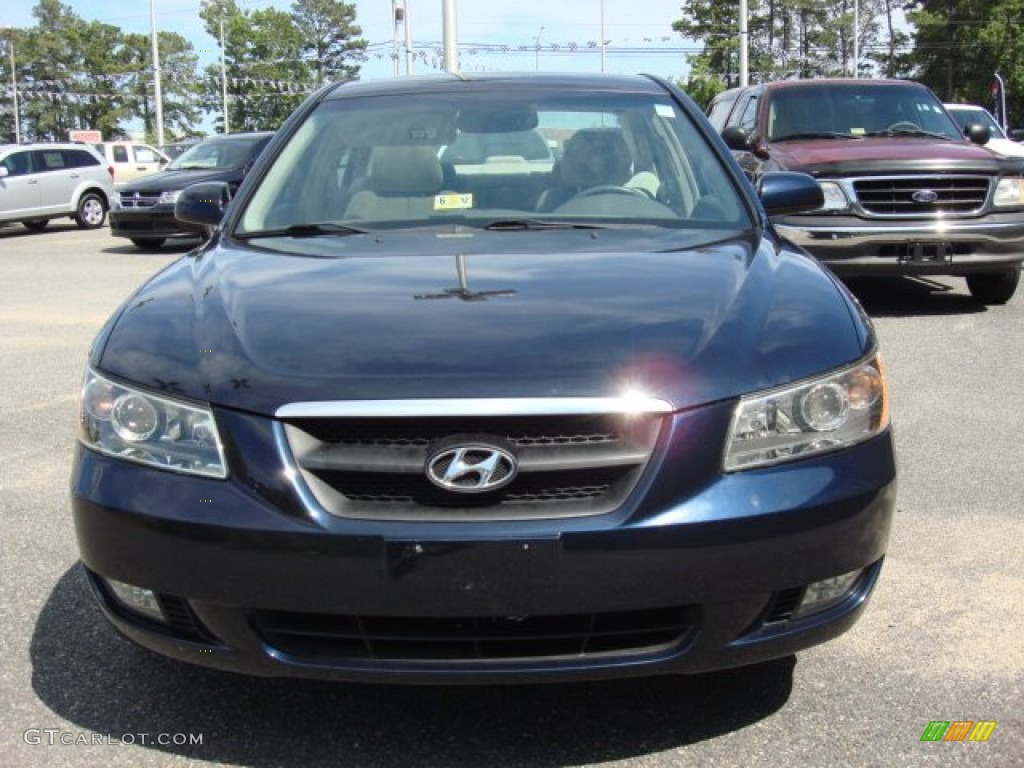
(852, 246)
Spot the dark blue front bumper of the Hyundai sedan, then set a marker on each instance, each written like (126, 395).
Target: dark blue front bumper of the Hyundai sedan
(700, 573)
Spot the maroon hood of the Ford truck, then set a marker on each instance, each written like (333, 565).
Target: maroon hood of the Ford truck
(905, 154)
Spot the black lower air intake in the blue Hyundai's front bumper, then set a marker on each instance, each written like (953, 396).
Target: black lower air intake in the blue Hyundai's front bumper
(326, 639)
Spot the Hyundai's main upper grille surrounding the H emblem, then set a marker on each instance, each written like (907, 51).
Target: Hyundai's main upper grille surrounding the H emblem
(376, 468)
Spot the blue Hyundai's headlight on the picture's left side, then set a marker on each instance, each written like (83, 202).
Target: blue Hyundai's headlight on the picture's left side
(150, 430)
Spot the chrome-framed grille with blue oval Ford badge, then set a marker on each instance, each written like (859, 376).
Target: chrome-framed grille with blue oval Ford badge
(922, 196)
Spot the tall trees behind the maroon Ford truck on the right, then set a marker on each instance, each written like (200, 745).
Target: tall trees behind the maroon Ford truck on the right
(954, 47)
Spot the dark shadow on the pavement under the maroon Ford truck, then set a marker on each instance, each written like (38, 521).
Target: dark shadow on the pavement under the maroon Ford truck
(902, 297)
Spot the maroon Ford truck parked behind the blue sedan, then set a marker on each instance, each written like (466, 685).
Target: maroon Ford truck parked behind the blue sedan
(906, 193)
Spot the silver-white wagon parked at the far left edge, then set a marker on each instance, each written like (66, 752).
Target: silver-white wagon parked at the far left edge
(44, 182)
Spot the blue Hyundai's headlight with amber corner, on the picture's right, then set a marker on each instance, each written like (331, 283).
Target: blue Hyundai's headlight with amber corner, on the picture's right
(813, 417)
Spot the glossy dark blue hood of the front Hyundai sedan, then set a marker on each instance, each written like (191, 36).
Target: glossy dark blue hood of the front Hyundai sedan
(255, 330)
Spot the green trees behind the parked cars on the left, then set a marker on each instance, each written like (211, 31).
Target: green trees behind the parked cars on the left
(75, 74)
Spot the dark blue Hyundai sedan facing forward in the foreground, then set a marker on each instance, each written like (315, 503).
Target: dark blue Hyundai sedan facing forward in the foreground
(377, 431)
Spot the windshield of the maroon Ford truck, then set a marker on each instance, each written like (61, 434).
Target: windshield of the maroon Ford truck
(856, 110)
